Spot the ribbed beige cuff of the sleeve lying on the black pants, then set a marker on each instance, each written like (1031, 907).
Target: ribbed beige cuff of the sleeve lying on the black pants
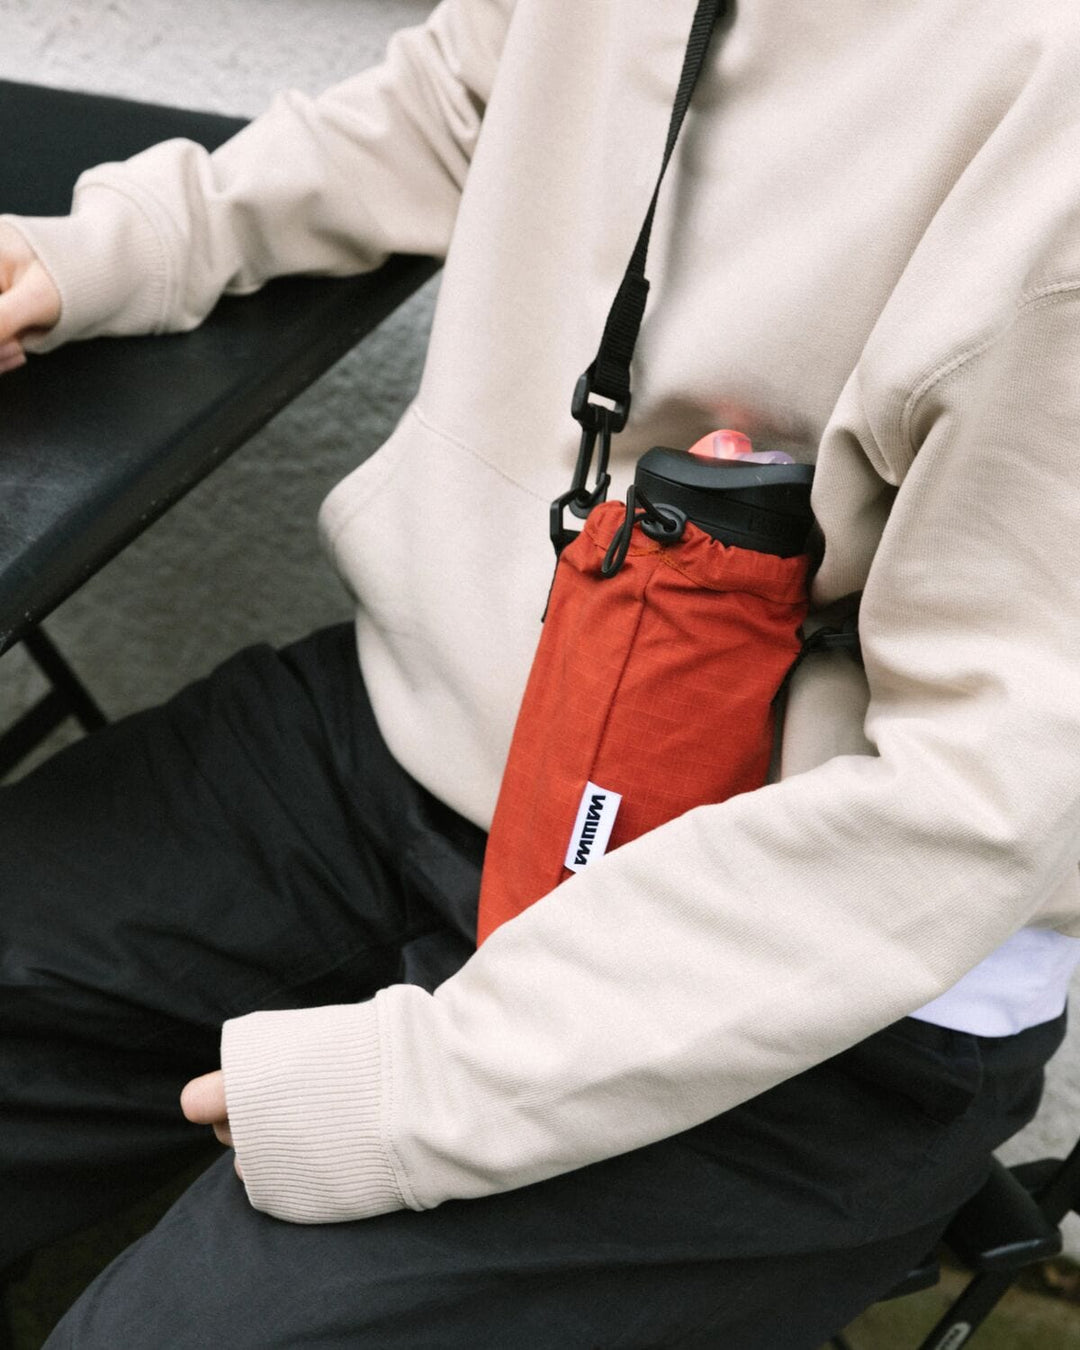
(306, 1098)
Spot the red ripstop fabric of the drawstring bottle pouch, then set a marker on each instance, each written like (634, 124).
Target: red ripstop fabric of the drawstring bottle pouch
(657, 684)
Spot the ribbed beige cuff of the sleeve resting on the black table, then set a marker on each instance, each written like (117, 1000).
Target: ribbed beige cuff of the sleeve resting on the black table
(107, 263)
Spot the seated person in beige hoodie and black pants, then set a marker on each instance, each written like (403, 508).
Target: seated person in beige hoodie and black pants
(727, 1085)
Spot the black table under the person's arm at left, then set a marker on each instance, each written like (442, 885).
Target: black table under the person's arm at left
(101, 438)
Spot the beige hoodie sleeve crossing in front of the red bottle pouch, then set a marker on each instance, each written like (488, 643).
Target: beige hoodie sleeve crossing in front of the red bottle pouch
(746, 942)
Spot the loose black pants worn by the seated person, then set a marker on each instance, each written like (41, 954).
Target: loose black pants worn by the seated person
(252, 846)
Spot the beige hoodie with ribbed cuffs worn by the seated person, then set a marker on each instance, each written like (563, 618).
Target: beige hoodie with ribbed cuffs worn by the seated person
(869, 250)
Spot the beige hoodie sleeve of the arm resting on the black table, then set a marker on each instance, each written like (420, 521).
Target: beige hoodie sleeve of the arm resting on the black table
(327, 186)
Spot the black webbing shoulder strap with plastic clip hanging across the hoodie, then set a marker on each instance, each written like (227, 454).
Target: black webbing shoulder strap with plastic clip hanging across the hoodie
(603, 395)
